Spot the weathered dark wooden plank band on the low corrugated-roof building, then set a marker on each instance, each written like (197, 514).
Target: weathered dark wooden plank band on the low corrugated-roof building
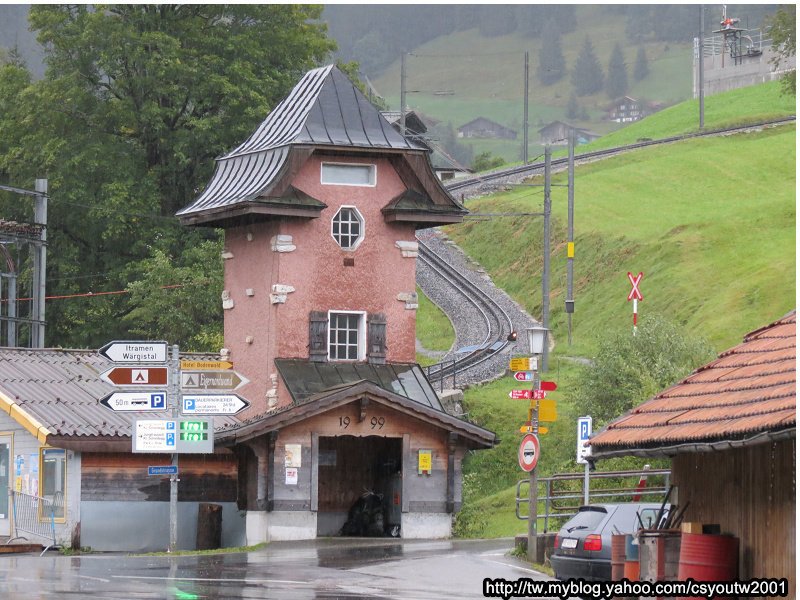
(123, 477)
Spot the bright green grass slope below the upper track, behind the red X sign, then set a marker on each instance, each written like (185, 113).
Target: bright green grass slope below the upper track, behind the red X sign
(710, 222)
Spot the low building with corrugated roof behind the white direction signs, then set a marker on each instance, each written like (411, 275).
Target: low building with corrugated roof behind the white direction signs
(58, 443)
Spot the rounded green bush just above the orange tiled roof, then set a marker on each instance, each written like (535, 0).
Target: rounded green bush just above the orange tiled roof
(628, 369)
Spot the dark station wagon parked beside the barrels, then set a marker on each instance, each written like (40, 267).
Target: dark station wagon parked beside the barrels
(583, 544)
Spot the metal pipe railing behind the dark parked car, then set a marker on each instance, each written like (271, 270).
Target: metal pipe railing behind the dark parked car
(564, 493)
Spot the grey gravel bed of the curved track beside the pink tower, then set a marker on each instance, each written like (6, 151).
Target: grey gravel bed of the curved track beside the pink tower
(463, 315)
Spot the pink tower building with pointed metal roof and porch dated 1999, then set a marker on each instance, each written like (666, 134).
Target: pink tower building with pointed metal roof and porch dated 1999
(320, 207)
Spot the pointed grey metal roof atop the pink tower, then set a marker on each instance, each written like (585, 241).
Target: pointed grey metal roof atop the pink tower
(323, 109)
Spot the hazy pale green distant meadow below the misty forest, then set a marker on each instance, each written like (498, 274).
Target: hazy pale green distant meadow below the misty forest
(486, 78)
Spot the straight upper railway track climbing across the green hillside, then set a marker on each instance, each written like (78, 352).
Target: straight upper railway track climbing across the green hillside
(488, 182)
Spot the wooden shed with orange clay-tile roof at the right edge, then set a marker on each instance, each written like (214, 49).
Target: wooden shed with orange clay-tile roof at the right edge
(730, 431)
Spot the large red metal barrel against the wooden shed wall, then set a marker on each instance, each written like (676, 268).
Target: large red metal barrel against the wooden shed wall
(708, 557)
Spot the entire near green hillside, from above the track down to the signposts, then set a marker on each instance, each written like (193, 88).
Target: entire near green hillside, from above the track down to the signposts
(711, 224)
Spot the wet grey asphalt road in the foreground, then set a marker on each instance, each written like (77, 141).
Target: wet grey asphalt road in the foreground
(318, 569)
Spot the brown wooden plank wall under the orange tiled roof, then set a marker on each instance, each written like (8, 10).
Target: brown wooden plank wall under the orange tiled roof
(751, 493)
